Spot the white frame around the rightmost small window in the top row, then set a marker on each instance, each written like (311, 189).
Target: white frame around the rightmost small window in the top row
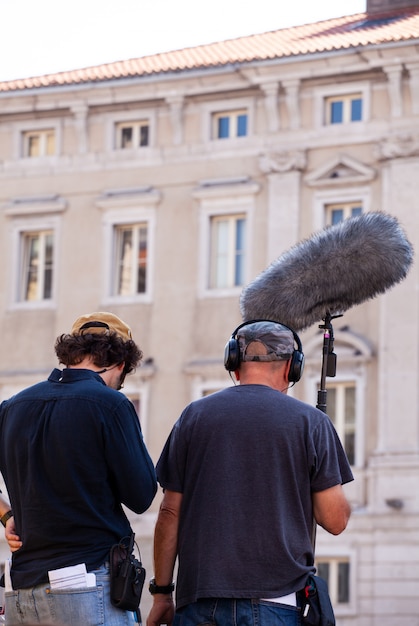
(322, 94)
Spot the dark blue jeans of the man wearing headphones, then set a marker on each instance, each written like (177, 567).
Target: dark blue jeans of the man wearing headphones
(228, 612)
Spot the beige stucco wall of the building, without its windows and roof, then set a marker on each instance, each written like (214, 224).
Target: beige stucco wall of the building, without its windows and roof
(183, 331)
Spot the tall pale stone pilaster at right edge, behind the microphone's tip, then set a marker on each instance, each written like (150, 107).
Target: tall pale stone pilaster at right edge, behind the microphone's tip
(394, 478)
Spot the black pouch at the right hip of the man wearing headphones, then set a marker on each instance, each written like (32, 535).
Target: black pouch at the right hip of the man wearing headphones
(315, 604)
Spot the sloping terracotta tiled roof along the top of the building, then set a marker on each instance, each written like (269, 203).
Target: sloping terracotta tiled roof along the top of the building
(334, 34)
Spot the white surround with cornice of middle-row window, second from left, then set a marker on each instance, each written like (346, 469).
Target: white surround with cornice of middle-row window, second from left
(119, 212)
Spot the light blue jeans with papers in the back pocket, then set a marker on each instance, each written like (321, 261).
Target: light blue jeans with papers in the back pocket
(66, 607)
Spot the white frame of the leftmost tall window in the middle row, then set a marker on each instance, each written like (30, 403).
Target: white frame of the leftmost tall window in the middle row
(19, 228)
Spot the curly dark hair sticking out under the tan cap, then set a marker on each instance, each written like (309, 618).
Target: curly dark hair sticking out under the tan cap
(104, 349)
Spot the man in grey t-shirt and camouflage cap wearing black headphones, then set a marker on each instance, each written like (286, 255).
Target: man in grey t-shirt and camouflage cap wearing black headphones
(244, 472)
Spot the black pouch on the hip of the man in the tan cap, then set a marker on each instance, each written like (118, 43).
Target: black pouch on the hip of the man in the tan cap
(127, 575)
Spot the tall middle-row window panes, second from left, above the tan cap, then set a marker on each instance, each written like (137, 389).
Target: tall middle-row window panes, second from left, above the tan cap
(131, 247)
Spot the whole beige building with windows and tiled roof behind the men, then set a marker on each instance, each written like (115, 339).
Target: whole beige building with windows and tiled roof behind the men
(157, 188)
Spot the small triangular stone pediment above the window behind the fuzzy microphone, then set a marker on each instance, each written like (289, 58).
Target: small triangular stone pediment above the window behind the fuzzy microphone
(340, 170)
